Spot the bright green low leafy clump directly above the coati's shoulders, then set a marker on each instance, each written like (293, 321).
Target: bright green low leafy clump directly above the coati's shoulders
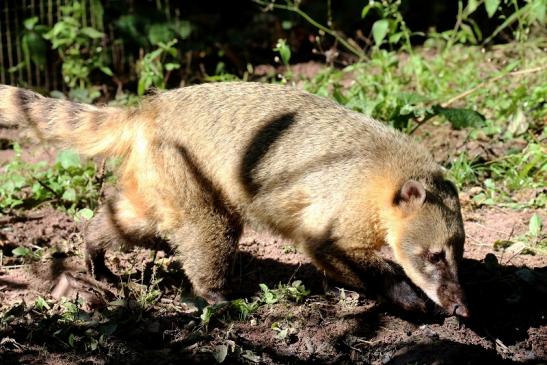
(387, 91)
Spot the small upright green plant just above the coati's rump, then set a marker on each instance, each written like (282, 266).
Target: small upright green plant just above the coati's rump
(154, 68)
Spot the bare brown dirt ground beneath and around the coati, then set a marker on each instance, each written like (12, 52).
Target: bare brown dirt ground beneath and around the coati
(507, 295)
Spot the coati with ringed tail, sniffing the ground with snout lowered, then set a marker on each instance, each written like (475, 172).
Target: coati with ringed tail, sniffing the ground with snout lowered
(200, 161)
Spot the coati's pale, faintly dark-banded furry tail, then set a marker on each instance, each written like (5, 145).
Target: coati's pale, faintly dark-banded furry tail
(91, 130)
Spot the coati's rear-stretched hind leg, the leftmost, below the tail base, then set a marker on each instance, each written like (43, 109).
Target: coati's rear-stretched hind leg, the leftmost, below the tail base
(116, 224)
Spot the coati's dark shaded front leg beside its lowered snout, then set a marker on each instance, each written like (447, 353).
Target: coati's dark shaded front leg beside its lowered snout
(363, 268)
